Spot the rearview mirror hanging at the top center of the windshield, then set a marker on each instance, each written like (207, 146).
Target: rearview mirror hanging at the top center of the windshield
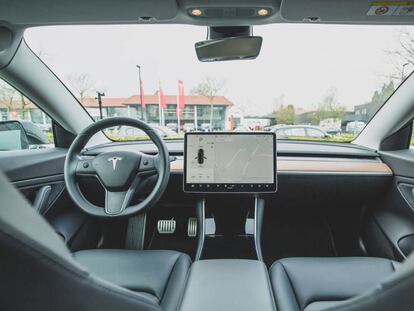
(235, 48)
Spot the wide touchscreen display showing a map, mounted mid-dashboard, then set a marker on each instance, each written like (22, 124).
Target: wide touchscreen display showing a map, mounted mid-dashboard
(230, 162)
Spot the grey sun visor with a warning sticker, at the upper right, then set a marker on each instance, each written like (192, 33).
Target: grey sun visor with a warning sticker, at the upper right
(350, 11)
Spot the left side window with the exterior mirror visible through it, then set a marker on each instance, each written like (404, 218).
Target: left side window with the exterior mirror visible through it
(22, 124)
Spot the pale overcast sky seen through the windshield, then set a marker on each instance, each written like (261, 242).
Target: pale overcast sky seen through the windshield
(297, 62)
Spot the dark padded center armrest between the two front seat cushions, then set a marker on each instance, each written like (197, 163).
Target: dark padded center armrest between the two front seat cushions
(228, 284)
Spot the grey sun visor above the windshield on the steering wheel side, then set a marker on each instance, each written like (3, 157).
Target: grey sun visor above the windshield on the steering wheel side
(44, 12)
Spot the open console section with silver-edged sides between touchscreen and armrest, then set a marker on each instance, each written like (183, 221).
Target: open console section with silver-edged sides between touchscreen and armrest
(229, 227)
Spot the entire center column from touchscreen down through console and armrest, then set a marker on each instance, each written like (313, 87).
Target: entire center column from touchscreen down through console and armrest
(216, 166)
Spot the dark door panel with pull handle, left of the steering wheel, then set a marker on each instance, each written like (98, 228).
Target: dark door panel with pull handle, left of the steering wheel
(38, 174)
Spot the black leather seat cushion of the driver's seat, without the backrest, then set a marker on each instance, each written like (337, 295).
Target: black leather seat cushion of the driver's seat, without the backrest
(161, 274)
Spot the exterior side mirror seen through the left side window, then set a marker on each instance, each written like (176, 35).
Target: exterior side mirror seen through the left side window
(13, 136)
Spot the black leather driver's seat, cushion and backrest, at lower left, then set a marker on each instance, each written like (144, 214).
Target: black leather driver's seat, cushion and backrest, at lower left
(39, 273)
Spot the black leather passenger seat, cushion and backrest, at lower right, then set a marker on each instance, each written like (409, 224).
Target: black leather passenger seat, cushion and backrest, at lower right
(329, 283)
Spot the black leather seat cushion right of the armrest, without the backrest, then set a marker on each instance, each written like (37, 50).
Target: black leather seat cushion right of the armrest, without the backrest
(318, 283)
